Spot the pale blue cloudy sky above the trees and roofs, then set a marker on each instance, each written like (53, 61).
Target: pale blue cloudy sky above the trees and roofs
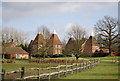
(59, 16)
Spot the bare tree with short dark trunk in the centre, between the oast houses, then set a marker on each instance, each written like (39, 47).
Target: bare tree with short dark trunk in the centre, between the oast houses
(77, 34)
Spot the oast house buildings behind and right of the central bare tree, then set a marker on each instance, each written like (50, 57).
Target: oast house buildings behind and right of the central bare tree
(89, 48)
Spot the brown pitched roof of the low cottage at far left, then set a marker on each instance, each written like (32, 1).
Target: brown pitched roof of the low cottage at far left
(14, 50)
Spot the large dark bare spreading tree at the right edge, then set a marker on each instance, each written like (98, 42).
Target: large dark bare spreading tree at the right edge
(107, 32)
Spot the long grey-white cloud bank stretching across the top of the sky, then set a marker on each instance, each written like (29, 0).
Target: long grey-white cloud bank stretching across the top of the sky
(15, 10)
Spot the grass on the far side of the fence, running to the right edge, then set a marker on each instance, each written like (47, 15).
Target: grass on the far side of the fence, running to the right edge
(24, 63)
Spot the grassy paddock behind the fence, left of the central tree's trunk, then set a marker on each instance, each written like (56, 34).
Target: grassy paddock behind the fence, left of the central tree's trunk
(25, 63)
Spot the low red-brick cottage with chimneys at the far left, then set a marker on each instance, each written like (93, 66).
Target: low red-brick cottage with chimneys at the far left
(10, 51)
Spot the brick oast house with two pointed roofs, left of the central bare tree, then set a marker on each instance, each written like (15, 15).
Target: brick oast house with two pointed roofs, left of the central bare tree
(54, 43)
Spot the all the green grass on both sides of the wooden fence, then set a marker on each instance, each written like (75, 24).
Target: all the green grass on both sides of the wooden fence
(105, 70)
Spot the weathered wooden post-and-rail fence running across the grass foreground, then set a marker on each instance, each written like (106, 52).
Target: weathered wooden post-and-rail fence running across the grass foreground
(59, 71)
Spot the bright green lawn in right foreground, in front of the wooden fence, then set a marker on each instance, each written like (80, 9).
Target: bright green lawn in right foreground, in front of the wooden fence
(104, 70)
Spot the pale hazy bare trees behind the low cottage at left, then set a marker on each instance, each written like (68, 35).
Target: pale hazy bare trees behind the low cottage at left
(9, 33)
